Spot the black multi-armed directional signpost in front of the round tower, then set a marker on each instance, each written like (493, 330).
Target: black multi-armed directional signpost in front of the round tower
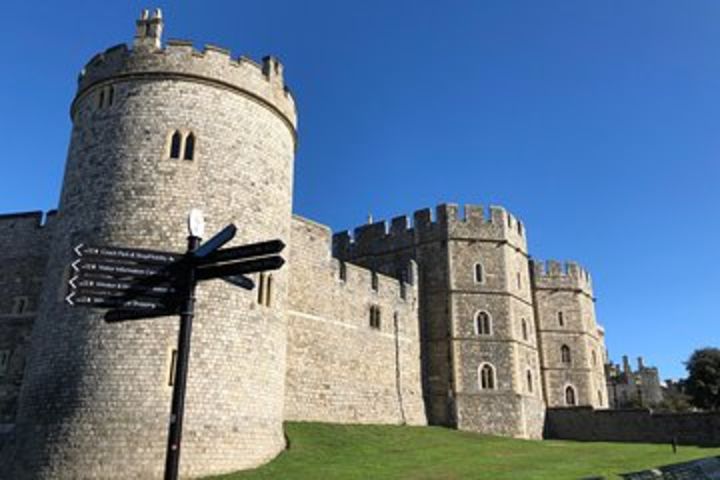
(139, 283)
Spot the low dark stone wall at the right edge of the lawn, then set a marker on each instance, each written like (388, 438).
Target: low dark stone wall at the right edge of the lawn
(636, 425)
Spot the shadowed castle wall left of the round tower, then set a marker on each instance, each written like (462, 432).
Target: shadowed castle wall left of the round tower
(24, 242)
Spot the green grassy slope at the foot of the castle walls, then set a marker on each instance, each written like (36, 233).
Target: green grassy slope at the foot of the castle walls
(324, 451)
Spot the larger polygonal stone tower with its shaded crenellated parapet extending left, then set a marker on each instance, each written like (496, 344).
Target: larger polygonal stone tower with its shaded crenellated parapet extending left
(481, 369)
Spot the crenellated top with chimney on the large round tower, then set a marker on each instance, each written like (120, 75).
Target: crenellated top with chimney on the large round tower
(147, 57)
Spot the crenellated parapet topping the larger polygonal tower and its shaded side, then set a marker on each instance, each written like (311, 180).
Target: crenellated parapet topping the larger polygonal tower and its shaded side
(446, 221)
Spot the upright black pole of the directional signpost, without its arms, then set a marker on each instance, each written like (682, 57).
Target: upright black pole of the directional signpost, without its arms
(187, 312)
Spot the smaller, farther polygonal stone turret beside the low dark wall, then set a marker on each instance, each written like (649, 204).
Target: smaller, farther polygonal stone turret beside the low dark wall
(572, 342)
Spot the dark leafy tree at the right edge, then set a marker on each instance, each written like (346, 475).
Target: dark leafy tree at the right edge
(703, 382)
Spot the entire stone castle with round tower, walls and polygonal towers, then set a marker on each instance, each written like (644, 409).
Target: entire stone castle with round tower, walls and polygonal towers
(444, 319)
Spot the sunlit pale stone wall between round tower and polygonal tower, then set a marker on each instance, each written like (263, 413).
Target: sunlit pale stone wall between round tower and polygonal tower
(339, 368)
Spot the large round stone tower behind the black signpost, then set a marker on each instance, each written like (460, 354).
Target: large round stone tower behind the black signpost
(157, 131)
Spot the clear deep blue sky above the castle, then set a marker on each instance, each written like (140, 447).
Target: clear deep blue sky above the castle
(595, 122)
